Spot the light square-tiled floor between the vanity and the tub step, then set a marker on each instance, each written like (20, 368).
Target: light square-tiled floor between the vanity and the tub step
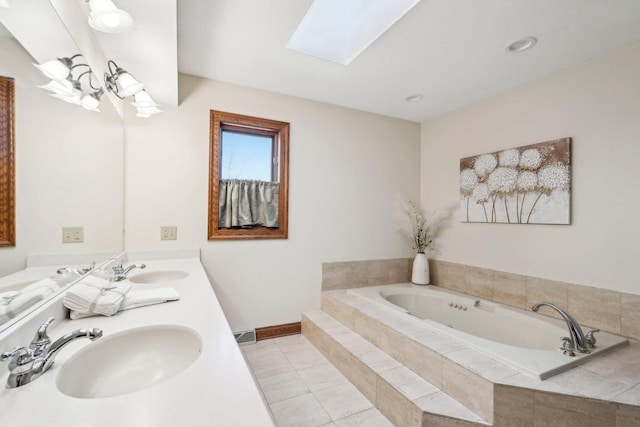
(304, 389)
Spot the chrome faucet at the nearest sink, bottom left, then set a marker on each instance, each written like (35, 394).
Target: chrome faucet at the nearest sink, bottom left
(27, 364)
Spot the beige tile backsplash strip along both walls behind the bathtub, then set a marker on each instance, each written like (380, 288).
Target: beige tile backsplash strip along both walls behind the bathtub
(611, 311)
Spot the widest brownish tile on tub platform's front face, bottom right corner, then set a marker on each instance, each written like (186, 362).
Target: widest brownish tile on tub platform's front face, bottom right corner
(571, 411)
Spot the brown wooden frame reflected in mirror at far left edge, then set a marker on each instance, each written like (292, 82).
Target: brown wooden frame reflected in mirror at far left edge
(7, 162)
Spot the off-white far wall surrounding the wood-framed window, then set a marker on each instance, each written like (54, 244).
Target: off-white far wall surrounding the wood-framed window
(347, 168)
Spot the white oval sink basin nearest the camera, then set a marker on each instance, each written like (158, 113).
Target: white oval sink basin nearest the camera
(129, 361)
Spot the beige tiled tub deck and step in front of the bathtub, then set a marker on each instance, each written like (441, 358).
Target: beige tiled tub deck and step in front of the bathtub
(403, 368)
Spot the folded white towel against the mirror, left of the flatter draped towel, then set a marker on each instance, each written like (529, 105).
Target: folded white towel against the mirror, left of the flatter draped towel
(94, 295)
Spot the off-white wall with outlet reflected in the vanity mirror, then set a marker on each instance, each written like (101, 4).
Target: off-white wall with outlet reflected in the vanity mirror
(68, 169)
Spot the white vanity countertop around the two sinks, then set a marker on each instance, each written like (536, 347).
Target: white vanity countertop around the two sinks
(216, 390)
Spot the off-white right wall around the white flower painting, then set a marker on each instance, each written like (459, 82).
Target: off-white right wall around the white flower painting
(597, 104)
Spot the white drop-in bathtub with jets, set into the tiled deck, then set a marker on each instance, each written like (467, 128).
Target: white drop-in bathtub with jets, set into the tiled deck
(523, 340)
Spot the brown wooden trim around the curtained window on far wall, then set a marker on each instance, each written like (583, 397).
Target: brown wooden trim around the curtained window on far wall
(280, 130)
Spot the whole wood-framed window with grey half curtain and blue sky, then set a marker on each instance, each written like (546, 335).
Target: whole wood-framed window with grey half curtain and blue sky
(248, 177)
